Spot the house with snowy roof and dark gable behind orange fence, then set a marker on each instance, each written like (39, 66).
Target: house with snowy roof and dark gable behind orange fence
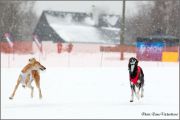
(77, 27)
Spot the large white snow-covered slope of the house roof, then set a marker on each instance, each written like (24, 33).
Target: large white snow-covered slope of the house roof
(72, 31)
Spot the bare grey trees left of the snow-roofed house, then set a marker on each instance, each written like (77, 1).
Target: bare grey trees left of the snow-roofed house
(17, 17)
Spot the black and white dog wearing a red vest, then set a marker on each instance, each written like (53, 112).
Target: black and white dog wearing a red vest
(136, 78)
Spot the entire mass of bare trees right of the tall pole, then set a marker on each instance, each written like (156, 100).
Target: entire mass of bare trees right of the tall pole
(161, 15)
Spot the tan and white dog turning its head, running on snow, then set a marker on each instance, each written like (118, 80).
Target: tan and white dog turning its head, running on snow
(29, 73)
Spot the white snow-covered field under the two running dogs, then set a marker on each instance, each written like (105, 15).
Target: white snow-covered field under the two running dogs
(89, 86)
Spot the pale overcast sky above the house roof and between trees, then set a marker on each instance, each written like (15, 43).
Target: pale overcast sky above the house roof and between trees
(86, 6)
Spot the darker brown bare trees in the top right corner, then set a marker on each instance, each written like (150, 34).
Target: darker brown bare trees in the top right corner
(166, 16)
